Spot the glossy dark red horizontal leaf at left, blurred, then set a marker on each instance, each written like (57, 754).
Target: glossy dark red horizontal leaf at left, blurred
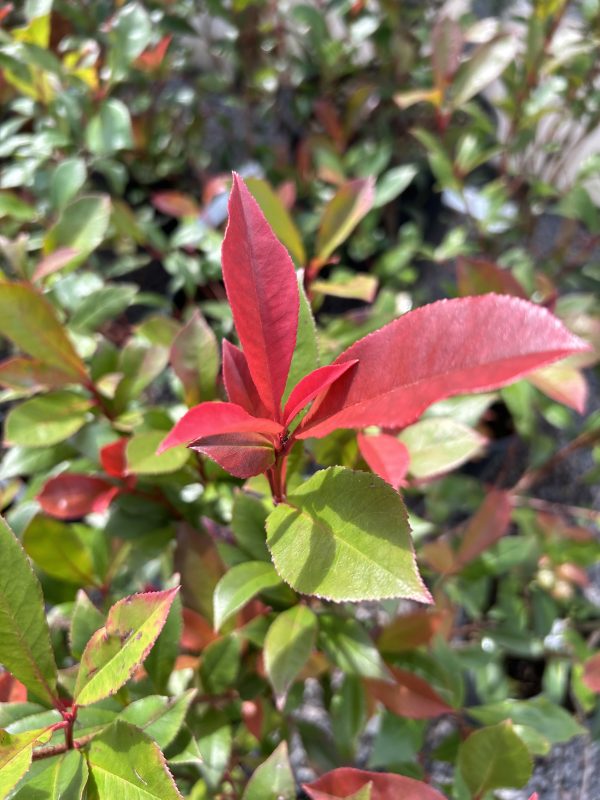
(70, 496)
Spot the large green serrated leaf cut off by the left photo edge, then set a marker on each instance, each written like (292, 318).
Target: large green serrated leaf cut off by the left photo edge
(25, 648)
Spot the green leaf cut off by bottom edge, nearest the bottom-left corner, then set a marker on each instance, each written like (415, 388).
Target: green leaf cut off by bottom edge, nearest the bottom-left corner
(62, 778)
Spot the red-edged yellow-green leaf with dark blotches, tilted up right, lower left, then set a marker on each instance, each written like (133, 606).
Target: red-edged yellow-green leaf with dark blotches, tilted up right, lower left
(116, 650)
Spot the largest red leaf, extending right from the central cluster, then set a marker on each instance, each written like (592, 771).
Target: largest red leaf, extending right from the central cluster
(466, 345)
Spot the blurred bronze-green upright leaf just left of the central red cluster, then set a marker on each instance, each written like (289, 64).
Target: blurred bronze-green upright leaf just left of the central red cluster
(195, 359)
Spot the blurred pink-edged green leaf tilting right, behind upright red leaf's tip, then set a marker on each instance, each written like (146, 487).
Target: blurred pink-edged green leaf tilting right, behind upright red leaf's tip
(343, 213)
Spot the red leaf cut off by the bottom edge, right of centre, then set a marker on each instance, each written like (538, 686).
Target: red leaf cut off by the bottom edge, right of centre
(346, 781)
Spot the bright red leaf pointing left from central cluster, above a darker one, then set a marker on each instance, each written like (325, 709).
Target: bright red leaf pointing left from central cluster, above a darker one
(212, 419)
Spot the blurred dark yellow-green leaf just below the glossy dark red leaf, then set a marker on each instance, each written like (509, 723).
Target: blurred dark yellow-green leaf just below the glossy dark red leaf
(60, 550)
